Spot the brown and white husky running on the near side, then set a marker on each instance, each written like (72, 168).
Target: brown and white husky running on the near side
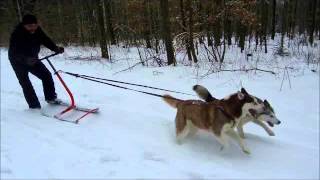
(214, 117)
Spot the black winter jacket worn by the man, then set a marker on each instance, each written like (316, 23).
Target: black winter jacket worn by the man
(24, 45)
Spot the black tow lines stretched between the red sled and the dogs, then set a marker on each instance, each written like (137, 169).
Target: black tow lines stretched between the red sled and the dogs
(101, 80)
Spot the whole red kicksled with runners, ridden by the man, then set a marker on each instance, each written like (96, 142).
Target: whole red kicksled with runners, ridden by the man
(63, 111)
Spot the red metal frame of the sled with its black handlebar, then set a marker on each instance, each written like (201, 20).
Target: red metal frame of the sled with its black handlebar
(72, 105)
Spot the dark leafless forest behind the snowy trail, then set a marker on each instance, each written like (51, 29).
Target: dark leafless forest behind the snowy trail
(170, 25)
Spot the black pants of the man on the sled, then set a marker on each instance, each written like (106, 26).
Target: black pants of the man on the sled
(41, 72)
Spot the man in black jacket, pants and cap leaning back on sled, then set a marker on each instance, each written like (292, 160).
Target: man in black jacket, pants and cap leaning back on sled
(23, 53)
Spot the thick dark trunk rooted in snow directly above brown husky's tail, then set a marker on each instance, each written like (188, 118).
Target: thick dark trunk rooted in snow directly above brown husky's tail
(166, 32)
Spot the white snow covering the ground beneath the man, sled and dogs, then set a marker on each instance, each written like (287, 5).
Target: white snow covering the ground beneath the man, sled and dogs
(133, 136)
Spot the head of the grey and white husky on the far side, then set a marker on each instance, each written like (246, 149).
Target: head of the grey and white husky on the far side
(267, 114)
